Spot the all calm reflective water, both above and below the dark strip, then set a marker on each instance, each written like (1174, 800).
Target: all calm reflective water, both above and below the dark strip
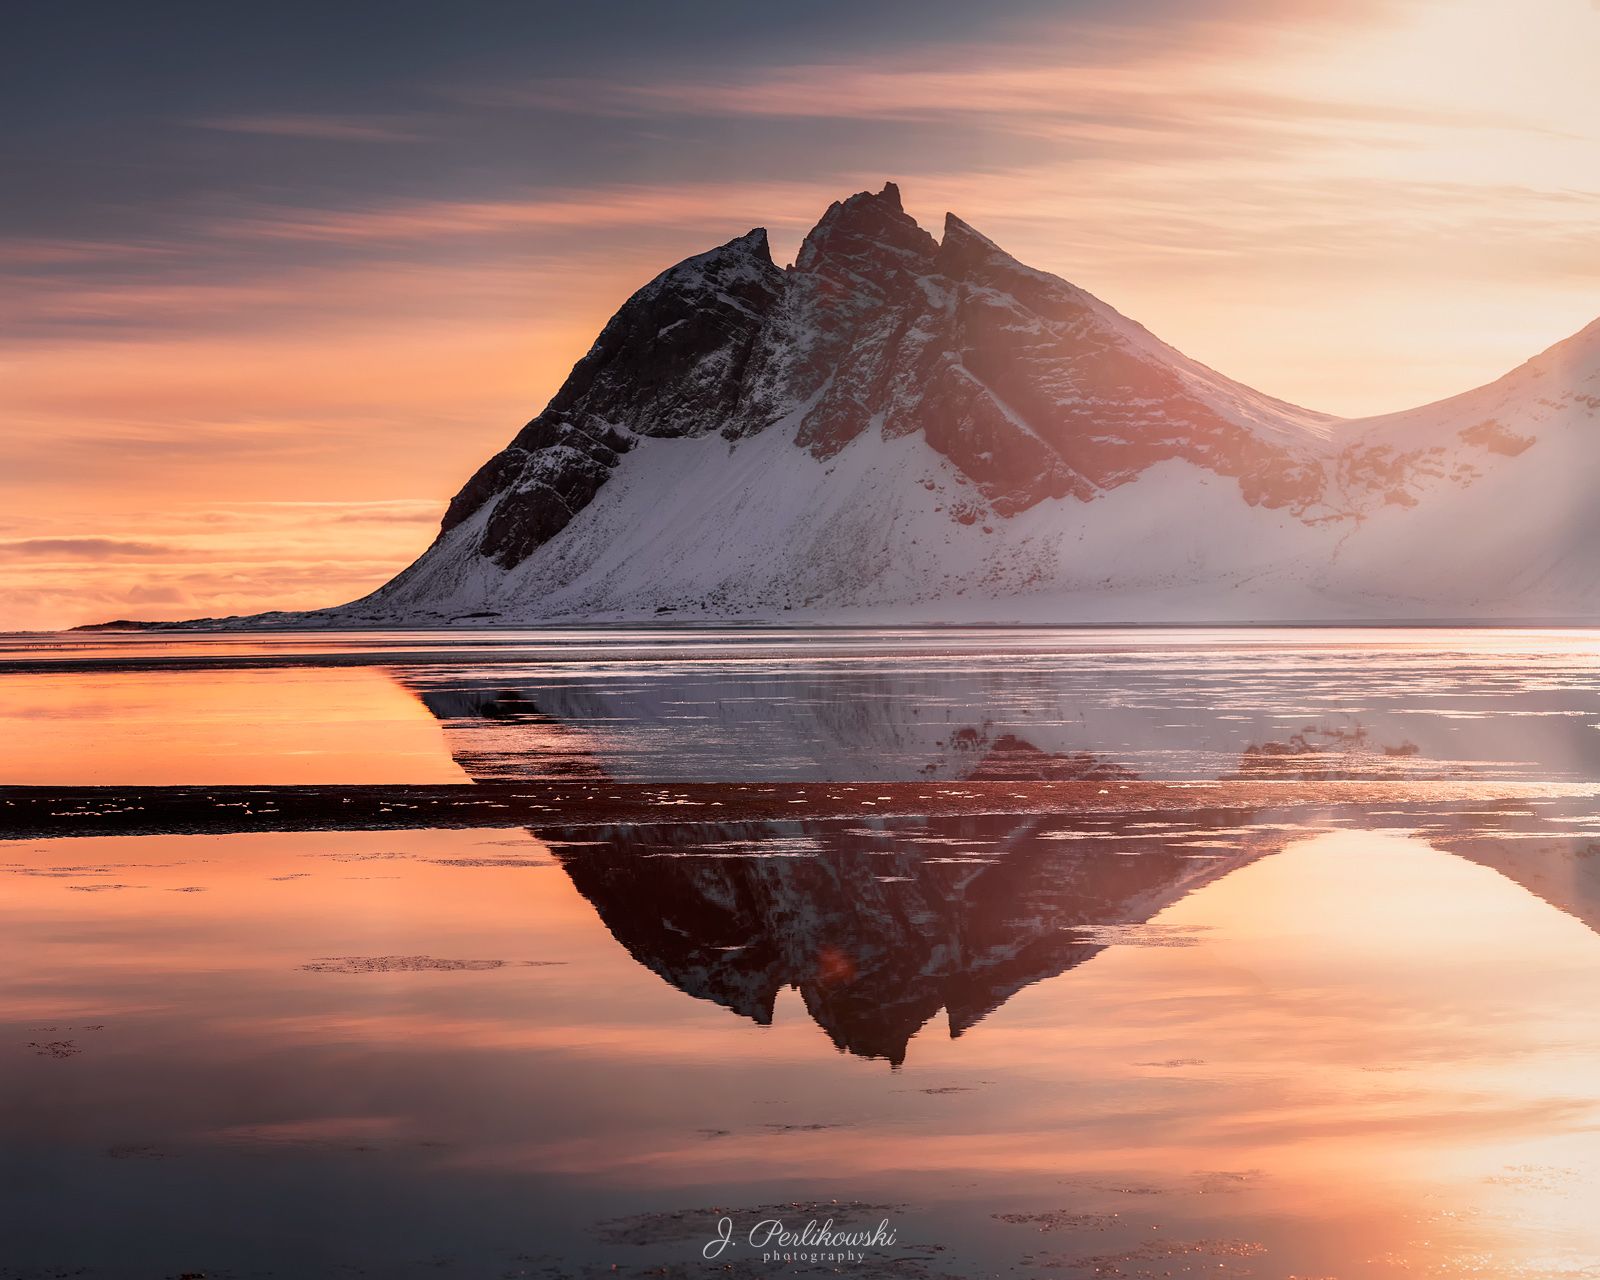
(1273, 1039)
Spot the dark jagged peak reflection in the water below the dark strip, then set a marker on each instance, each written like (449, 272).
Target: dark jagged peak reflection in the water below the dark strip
(882, 927)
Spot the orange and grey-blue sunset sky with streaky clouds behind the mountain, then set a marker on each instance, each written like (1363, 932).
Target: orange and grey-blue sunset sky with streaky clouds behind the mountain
(276, 279)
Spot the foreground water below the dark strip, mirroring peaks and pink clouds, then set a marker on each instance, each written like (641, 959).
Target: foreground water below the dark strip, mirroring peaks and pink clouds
(1223, 1044)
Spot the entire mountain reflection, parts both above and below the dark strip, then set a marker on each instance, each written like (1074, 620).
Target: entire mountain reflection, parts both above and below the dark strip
(882, 926)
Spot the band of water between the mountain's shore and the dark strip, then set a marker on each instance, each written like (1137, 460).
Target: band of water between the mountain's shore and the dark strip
(802, 706)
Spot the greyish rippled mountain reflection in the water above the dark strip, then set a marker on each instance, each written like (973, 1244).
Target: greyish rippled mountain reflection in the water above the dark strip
(1162, 713)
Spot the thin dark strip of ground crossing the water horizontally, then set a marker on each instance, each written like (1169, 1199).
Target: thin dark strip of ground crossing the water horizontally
(57, 812)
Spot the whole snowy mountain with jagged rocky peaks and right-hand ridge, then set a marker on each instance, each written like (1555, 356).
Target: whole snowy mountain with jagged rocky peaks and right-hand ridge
(916, 430)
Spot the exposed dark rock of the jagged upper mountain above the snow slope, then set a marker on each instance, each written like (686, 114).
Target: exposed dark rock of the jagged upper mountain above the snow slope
(1028, 385)
